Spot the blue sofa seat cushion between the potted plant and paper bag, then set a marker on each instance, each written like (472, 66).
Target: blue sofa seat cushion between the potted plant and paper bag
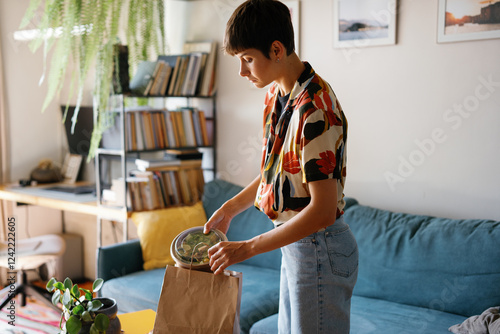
(136, 291)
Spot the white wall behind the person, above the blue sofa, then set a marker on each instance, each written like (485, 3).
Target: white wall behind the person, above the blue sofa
(395, 98)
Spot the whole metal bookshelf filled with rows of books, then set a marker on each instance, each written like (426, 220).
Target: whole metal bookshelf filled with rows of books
(150, 155)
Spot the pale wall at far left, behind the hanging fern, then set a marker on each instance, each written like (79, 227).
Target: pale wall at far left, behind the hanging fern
(33, 136)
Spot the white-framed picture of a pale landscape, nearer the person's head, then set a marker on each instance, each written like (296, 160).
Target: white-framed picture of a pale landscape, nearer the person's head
(360, 23)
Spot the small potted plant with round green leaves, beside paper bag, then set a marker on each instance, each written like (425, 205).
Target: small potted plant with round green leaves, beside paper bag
(81, 311)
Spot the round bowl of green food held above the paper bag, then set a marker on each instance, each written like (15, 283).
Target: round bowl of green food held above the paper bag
(191, 246)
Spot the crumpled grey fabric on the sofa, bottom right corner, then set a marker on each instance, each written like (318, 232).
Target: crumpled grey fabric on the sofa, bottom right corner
(487, 322)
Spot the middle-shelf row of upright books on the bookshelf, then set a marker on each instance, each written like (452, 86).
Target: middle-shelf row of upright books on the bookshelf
(151, 129)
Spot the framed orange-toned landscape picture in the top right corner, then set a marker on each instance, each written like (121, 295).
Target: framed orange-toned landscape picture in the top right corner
(465, 20)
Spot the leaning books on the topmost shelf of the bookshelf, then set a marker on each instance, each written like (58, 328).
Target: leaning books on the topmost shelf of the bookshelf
(189, 74)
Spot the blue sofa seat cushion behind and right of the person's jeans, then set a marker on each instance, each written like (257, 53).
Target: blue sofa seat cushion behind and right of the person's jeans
(375, 316)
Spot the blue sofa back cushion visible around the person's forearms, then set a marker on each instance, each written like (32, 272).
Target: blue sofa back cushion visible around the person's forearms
(244, 226)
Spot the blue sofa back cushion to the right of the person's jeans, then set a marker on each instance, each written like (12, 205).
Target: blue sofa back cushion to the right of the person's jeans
(443, 264)
